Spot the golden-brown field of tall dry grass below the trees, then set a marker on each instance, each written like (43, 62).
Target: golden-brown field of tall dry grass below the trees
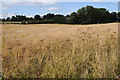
(60, 51)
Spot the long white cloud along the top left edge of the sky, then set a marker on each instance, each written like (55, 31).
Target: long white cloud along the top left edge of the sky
(7, 4)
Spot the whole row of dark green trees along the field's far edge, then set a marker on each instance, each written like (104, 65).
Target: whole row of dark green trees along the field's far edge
(85, 15)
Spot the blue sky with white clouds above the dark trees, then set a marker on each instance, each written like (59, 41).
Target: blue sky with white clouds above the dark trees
(30, 7)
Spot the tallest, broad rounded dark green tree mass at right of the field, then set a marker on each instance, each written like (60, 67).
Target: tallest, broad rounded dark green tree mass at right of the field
(90, 15)
